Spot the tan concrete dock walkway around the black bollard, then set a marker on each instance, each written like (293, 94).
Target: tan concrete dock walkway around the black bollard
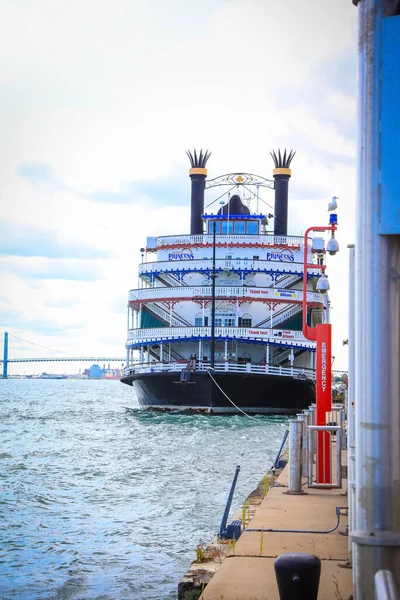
(249, 574)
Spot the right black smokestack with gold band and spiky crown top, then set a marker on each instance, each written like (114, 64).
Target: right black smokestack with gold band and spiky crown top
(282, 175)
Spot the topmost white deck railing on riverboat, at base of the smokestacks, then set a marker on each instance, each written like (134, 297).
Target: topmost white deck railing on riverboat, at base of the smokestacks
(260, 240)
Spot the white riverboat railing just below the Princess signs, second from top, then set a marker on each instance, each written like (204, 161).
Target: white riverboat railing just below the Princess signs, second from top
(236, 264)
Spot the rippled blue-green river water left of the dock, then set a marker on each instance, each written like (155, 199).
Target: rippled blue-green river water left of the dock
(100, 499)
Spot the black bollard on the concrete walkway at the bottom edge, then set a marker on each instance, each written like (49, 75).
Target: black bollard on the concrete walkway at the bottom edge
(297, 575)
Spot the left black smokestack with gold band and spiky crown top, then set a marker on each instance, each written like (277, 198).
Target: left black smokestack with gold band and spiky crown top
(198, 174)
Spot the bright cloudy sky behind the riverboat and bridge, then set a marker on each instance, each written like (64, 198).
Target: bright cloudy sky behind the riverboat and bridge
(100, 101)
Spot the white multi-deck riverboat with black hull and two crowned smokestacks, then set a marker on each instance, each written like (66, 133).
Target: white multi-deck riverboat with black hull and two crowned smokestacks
(216, 323)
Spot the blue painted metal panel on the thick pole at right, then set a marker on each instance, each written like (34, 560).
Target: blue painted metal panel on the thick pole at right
(390, 127)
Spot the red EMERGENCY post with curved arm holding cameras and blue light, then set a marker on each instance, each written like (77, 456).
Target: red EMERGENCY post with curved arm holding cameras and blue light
(322, 335)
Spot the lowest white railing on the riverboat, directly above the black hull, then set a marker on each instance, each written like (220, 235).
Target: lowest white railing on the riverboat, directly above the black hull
(158, 367)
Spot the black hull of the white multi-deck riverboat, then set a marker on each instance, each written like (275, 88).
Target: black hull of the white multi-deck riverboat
(253, 393)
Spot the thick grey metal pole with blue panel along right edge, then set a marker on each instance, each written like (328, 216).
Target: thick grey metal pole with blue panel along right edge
(377, 339)
